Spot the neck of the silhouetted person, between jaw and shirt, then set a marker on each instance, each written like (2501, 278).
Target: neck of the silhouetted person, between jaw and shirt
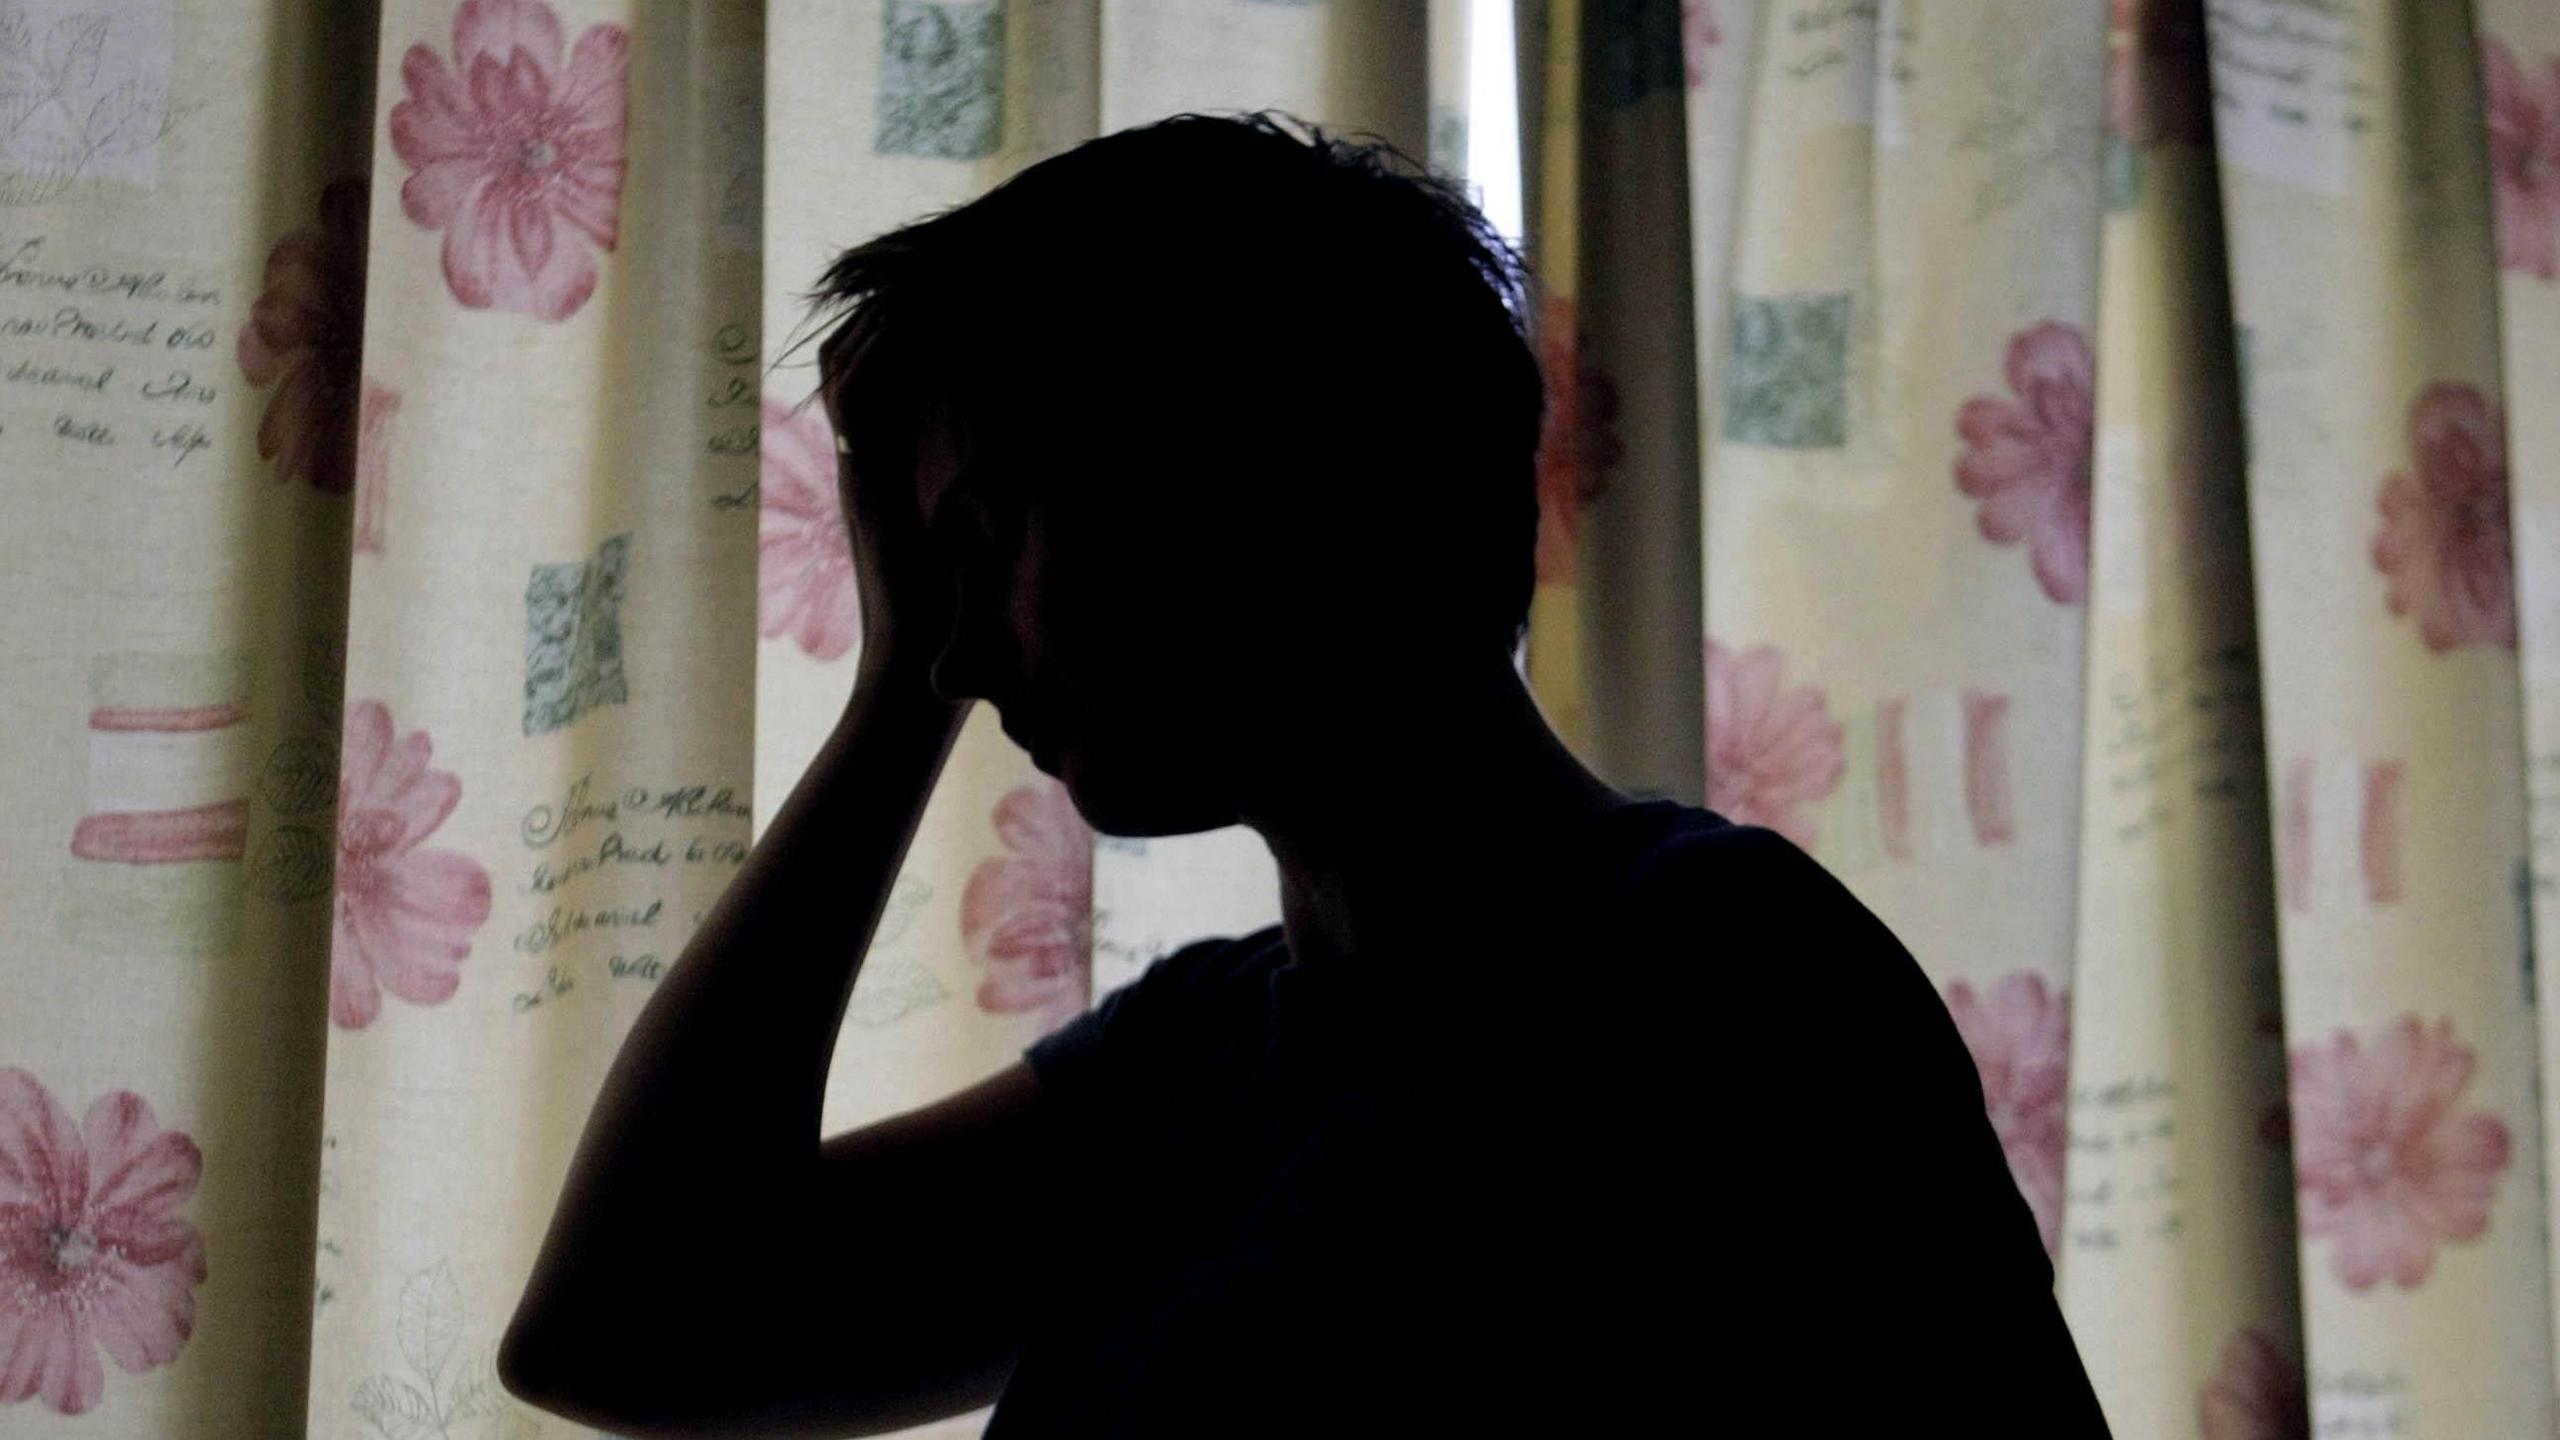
(1427, 819)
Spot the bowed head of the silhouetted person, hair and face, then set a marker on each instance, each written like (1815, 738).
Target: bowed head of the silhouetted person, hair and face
(1240, 434)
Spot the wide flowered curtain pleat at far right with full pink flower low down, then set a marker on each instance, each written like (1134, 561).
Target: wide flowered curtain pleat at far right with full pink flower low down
(2367, 301)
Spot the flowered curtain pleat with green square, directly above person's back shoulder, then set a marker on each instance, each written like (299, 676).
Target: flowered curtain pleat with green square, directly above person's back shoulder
(1916, 237)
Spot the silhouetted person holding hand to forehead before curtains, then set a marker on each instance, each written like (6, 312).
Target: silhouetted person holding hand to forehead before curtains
(1204, 455)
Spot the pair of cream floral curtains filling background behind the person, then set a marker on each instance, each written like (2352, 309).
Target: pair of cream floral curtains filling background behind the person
(2088, 473)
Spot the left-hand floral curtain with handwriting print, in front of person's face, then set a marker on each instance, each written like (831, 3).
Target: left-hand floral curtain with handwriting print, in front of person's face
(426, 588)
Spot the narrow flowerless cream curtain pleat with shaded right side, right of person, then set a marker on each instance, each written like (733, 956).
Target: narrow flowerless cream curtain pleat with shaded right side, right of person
(2180, 1259)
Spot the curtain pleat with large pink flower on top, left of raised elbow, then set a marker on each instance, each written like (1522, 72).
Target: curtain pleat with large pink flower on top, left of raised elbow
(549, 716)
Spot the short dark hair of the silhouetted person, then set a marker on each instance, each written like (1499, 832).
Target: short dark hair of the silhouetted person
(1340, 306)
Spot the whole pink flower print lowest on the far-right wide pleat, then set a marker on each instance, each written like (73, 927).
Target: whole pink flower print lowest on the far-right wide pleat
(2385, 1159)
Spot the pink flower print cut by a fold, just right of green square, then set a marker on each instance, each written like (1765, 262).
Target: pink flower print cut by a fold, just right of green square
(2029, 460)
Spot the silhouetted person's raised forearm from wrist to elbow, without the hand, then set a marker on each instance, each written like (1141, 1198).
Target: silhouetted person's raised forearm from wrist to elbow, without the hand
(705, 1134)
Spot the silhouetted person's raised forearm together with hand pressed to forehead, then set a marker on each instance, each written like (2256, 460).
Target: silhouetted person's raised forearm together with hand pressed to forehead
(698, 1206)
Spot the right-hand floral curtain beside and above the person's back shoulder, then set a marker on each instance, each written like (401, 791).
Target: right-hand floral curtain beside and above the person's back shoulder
(2124, 570)
